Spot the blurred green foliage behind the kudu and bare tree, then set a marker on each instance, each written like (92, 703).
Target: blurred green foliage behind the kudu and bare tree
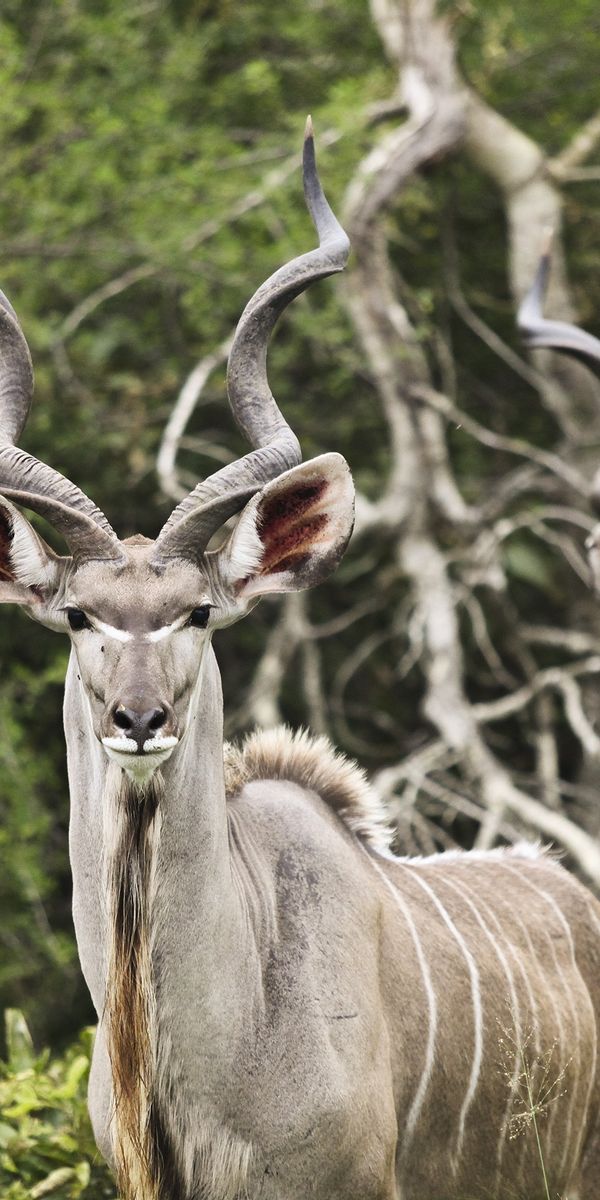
(147, 189)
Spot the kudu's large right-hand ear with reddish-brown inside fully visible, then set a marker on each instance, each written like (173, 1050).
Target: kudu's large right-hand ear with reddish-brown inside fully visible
(293, 533)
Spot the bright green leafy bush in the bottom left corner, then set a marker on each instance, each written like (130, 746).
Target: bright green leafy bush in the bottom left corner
(47, 1147)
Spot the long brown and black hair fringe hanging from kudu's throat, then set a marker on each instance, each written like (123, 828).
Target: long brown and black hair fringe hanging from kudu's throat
(146, 1165)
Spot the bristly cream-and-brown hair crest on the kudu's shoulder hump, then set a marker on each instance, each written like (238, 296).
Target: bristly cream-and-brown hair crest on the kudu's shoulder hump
(314, 765)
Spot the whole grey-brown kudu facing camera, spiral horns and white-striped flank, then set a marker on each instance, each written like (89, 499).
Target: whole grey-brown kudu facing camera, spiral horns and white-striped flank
(285, 1009)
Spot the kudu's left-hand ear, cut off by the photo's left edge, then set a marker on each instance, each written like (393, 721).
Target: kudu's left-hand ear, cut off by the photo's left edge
(31, 572)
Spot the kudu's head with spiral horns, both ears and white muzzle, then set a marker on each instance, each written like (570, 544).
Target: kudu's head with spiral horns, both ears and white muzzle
(141, 614)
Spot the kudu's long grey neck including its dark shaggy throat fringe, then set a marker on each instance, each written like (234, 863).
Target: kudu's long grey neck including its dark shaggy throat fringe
(160, 927)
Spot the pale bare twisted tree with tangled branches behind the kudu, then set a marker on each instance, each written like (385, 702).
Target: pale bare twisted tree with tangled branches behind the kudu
(448, 553)
